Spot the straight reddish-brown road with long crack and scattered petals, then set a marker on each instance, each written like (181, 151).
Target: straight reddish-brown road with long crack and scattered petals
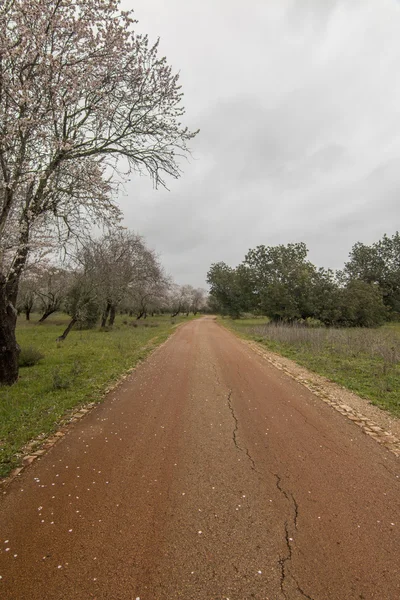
(207, 475)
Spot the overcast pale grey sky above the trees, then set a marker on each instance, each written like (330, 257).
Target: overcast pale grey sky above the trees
(298, 102)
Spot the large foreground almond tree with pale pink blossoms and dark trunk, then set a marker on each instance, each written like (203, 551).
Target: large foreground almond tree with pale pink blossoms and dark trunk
(78, 91)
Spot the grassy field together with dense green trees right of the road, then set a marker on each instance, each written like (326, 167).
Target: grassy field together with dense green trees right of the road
(344, 324)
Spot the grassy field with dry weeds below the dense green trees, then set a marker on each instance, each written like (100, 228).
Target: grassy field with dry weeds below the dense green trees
(365, 361)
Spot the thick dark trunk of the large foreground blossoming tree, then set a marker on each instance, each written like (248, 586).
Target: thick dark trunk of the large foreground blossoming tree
(9, 349)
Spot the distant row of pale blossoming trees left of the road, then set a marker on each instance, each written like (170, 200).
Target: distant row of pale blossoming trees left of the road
(114, 273)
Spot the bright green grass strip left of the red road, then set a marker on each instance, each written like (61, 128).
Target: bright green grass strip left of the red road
(74, 372)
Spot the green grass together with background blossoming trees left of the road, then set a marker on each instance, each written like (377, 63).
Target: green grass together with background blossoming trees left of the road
(117, 304)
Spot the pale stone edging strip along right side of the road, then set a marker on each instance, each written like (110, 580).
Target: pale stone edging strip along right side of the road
(375, 422)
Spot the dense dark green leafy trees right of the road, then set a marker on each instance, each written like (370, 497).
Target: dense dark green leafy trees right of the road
(282, 284)
